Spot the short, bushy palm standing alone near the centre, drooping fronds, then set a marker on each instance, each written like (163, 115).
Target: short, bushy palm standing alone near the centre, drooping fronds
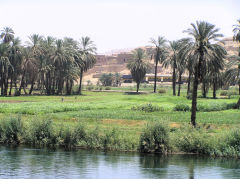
(138, 66)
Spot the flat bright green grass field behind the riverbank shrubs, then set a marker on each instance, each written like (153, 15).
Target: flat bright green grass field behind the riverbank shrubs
(113, 109)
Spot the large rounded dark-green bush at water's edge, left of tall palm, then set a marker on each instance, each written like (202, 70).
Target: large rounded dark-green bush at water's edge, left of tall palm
(155, 139)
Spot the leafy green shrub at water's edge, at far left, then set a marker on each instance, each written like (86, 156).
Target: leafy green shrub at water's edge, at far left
(11, 129)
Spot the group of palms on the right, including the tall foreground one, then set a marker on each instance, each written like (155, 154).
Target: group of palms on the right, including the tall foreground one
(201, 56)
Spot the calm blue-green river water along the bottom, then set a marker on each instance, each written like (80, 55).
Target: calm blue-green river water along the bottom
(25, 162)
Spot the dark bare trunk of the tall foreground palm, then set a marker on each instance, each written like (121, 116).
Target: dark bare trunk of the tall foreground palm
(195, 88)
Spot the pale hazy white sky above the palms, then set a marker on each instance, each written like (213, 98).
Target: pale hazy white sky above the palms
(115, 24)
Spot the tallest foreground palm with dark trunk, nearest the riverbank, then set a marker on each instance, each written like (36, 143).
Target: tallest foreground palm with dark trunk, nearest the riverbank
(204, 38)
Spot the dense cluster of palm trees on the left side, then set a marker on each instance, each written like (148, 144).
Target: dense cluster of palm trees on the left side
(48, 64)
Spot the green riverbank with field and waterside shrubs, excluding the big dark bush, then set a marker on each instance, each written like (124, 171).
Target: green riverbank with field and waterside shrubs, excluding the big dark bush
(115, 121)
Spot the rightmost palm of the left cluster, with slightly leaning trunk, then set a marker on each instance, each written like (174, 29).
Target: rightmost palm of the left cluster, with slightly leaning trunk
(86, 58)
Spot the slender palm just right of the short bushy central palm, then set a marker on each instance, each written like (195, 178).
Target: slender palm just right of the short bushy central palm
(159, 55)
